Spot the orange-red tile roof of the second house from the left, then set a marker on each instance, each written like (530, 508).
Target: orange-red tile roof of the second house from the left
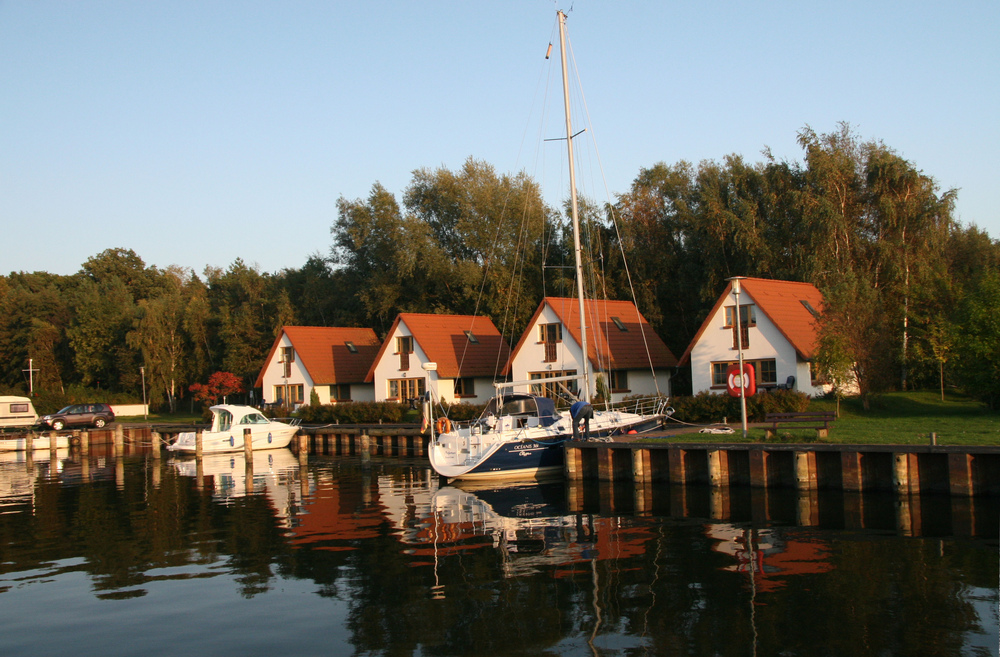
(443, 340)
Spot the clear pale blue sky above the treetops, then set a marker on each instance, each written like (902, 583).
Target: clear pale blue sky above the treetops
(196, 133)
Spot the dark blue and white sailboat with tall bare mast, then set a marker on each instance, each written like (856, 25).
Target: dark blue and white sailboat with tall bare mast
(520, 434)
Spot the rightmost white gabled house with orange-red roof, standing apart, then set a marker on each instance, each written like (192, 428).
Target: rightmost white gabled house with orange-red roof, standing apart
(779, 328)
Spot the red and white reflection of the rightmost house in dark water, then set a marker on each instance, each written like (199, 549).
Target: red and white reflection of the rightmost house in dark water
(767, 557)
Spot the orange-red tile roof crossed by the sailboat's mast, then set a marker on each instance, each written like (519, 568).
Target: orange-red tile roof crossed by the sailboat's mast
(608, 346)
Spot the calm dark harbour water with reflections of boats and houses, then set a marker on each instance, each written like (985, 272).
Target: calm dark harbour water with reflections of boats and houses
(139, 557)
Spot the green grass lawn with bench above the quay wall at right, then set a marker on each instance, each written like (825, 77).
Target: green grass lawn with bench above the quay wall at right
(903, 418)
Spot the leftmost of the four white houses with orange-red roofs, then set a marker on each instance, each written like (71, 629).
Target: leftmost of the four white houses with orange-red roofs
(333, 361)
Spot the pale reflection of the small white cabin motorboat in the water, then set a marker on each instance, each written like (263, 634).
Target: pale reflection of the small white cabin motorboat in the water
(272, 472)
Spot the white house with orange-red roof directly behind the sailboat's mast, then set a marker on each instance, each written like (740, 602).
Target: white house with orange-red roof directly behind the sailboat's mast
(622, 348)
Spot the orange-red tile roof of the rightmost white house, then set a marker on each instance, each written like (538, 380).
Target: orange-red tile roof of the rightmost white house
(782, 302)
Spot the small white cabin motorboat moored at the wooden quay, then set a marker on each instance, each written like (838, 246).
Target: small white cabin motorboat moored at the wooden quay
(228, 425)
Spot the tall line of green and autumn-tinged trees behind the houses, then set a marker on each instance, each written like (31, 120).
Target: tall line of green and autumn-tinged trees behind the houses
(912, 295)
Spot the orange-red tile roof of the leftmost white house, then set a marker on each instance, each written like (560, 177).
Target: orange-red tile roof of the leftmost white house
(323, 352)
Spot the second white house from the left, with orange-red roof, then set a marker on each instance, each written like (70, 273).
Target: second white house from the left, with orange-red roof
(468, 352)
